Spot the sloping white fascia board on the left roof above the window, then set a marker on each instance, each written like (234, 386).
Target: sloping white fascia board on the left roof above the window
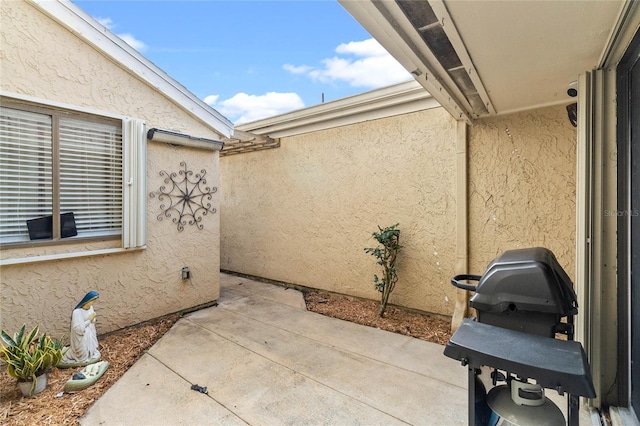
(112, 46)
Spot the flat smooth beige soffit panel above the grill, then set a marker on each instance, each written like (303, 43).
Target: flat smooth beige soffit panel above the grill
(527, 52)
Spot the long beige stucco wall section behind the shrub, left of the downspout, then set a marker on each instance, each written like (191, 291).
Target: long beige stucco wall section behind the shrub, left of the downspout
(303, 213)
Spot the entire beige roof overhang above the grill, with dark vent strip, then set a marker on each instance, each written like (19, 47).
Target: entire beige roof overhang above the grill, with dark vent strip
(480, 58)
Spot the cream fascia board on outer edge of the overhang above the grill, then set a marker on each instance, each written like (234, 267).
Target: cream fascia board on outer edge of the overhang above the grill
(425, 68)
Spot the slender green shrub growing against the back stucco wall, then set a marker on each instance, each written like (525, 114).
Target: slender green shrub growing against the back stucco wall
(387, 254)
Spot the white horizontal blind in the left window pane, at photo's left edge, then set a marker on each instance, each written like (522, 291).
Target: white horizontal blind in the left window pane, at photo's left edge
(26, 175)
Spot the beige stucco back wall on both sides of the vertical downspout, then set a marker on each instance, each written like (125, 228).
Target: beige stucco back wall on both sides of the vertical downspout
(302, 213)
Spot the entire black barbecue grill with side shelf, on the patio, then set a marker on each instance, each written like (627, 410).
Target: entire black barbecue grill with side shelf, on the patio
(523, 301)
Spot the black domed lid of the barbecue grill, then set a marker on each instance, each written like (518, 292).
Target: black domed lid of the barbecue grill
(528, 279)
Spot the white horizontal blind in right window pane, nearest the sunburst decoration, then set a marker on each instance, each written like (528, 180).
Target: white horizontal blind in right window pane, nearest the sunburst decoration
(91, 175)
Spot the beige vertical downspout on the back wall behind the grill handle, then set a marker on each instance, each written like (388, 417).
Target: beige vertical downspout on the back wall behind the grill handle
(461, 309)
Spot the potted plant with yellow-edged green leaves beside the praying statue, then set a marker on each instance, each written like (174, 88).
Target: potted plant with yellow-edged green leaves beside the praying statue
(29, 356)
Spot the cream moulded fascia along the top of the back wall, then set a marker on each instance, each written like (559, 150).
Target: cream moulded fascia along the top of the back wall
(398, 99)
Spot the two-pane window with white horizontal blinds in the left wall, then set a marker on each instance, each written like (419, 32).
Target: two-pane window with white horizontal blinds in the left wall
(52, 163)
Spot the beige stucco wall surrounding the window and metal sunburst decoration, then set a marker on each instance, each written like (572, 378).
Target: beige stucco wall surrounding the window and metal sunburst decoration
(133, 286)
